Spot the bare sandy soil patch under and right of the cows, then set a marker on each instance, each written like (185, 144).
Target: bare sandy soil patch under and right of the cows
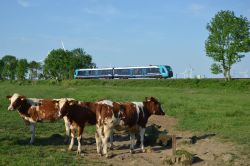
(208, 149)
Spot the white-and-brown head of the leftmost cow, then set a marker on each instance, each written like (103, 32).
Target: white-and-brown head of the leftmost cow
(15, 101)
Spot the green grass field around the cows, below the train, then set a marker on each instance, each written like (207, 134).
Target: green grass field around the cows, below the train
(199, 105)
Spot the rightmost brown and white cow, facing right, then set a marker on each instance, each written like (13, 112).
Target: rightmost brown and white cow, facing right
(132, 116)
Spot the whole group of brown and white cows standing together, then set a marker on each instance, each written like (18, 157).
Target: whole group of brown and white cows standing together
(105, 114)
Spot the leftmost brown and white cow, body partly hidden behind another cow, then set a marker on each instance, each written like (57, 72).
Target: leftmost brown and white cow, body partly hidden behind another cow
(34, 110)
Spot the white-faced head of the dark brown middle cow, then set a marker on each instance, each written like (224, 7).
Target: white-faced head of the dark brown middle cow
(64, 105)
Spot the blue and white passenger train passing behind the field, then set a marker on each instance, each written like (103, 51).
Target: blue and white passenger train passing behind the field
(139, 72)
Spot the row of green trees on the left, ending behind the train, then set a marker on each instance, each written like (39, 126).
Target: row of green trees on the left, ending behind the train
(59, 64)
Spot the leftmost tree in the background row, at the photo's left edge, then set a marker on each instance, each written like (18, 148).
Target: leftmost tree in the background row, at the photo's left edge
(9, 67)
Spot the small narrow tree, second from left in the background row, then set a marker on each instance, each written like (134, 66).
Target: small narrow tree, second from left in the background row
(22, 69)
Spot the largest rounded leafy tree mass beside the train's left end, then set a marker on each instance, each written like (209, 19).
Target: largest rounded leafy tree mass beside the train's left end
(60, 64)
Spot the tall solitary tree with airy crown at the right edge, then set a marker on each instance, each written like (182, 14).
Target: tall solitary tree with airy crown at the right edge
(228, 39)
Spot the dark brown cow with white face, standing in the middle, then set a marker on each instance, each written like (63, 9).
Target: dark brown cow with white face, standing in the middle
(78, 114)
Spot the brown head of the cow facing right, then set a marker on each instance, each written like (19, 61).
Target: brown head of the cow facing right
(153, 106)
